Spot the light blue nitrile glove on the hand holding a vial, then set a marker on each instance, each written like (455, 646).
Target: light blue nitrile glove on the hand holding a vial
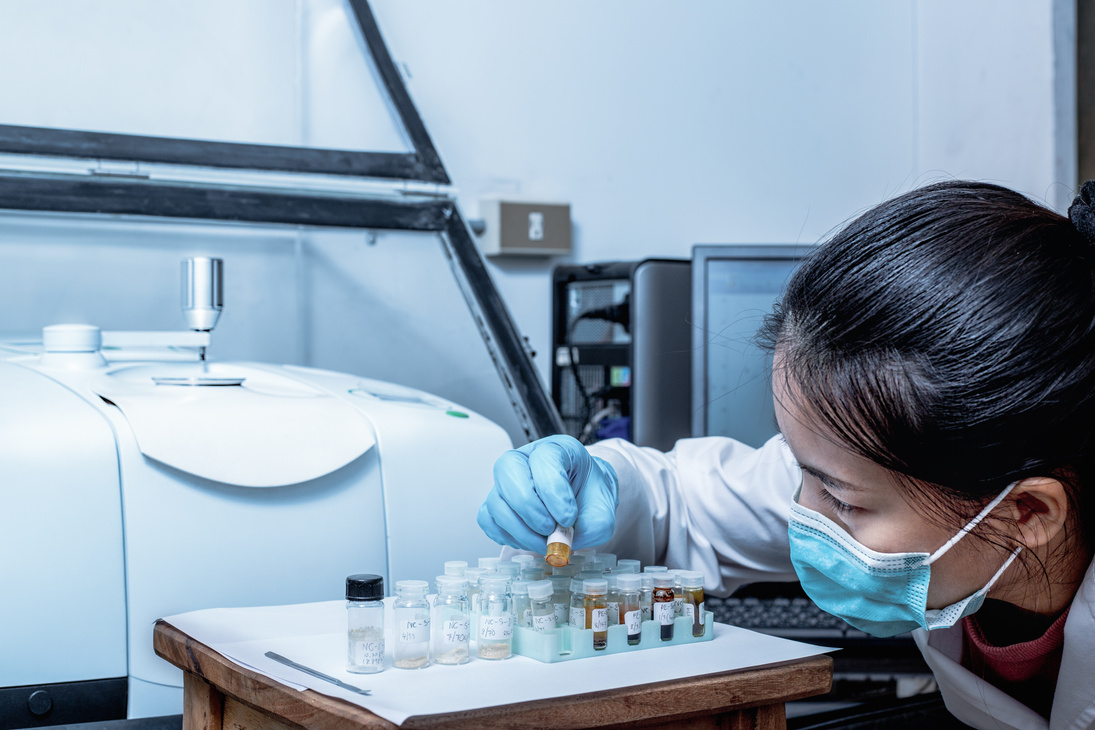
(554, 480)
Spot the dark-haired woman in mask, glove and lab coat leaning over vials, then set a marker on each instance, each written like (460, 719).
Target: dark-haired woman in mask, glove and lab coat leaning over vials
(935, 378)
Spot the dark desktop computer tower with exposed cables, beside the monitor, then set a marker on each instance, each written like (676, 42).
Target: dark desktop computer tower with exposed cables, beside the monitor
(623, 351)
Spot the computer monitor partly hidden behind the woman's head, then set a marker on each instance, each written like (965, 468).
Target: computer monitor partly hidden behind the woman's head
(734, 286)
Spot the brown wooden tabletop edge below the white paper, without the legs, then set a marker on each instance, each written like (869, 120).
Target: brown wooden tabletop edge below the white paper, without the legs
(708, 694)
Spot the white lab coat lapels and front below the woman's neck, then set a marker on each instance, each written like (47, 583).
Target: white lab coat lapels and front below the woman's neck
(977, 703)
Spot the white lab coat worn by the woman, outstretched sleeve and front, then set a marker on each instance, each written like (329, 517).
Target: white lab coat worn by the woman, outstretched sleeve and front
(719, 506)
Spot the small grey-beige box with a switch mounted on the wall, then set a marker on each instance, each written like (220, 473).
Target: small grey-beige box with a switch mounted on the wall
(526, 229)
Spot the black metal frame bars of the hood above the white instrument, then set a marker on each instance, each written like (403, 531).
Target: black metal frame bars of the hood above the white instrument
(78, 194)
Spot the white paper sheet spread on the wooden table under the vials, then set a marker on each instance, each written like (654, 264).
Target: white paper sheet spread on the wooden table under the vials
(315, 635)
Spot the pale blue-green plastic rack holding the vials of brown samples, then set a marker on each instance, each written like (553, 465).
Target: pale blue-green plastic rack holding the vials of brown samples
(564, 644)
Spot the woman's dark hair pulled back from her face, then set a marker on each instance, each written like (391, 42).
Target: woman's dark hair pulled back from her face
(949, 335)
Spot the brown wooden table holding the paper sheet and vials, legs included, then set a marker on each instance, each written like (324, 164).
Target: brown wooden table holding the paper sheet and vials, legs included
(218, 693)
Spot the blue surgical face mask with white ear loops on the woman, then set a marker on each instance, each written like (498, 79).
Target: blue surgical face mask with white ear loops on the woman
(880, 594)
